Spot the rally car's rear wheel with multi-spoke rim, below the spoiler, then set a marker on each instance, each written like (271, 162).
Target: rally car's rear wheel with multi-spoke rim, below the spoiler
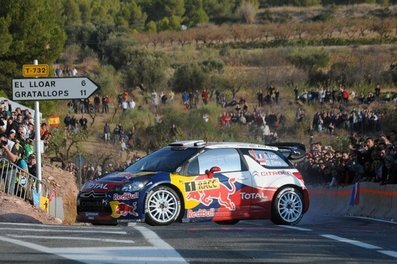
(287, 207)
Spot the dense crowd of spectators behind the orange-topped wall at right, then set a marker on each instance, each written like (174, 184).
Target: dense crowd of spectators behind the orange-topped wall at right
(367, 159)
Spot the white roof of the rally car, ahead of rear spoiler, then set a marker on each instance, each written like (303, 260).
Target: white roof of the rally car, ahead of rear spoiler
(213, 145)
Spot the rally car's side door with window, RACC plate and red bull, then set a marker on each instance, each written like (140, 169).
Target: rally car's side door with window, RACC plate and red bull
(219, 190)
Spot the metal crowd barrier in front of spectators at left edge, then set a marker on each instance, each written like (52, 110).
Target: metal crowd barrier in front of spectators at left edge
(18, 182)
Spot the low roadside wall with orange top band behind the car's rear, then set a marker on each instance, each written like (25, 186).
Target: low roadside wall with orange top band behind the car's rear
(376, 201)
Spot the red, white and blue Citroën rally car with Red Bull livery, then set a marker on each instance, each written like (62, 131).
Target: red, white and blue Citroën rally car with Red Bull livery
(194, 181)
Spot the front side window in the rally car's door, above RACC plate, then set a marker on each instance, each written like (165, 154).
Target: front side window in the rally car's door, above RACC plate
(226, 159)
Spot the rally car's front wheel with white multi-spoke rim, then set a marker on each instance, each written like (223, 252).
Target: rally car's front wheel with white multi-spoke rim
(162, 207)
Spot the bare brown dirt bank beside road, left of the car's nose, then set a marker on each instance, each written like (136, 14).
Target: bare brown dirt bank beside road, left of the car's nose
(13, 209)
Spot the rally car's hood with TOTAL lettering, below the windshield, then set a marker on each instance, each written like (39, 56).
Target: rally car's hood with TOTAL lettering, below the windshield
(112, 180)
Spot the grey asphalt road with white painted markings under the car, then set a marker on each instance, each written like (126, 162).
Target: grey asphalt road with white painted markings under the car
(317, 239)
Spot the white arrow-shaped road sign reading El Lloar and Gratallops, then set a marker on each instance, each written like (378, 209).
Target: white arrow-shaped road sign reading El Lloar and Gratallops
(52, 88)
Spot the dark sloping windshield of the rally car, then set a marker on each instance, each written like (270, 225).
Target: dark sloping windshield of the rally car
(164, 159)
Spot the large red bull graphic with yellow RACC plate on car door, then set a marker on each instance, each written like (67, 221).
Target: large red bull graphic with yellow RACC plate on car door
(205, 190)
